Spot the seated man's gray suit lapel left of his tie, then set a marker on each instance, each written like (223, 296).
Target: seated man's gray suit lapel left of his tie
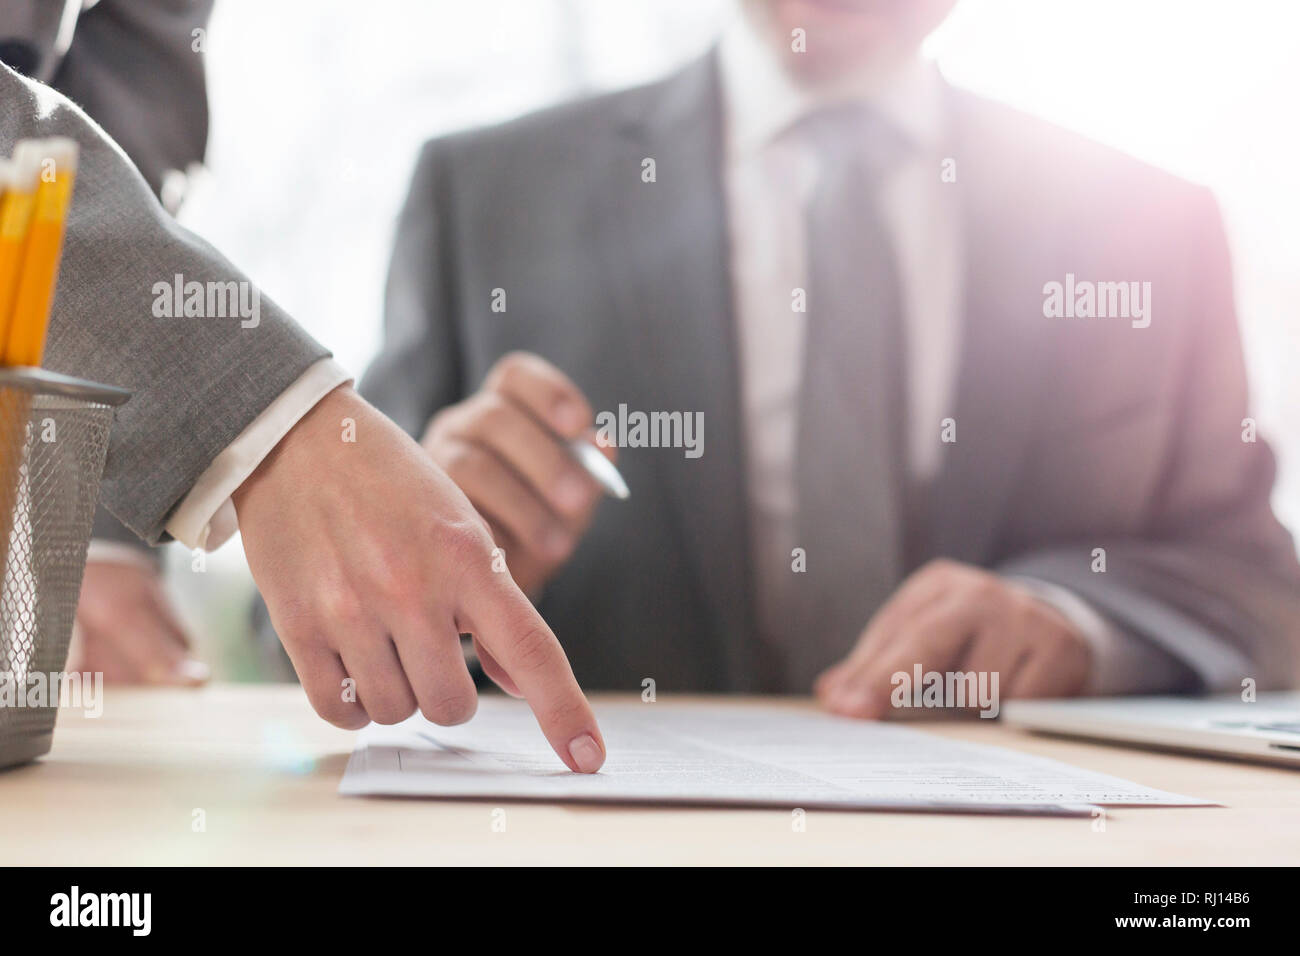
(666, 263)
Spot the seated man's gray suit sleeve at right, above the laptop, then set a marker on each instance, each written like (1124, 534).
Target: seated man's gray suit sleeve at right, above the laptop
(1214, 581)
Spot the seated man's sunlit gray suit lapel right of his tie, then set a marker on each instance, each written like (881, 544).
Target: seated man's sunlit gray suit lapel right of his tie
(1008, 257)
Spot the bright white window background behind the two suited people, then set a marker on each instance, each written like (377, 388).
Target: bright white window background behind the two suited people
(320, 106)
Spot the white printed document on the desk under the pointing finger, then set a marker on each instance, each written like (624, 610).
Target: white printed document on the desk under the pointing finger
(729, 755)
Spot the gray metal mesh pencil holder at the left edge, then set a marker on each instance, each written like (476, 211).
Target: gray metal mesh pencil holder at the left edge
(54, 436)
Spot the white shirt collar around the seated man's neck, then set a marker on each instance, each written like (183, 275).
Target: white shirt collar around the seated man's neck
(761, 101)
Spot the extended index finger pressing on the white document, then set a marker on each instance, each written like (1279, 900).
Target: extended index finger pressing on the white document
(505, 622)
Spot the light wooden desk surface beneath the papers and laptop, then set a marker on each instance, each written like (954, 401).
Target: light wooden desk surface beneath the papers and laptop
(263, 769)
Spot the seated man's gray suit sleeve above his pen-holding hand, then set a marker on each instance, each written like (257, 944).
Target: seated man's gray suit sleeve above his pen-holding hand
(417, 371)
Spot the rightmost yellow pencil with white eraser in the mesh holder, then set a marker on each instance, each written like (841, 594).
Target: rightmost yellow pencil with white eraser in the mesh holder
(27, 340)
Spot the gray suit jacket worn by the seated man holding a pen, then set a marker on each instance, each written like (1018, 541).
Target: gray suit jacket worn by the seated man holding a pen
(1073, 435)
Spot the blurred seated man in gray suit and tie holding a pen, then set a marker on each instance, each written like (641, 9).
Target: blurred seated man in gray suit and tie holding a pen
(915, 453)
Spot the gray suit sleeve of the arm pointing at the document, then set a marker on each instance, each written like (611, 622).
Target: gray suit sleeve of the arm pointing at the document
(197, 382)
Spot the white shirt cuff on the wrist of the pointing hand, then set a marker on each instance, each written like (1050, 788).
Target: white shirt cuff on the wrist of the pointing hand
(206, 517)
